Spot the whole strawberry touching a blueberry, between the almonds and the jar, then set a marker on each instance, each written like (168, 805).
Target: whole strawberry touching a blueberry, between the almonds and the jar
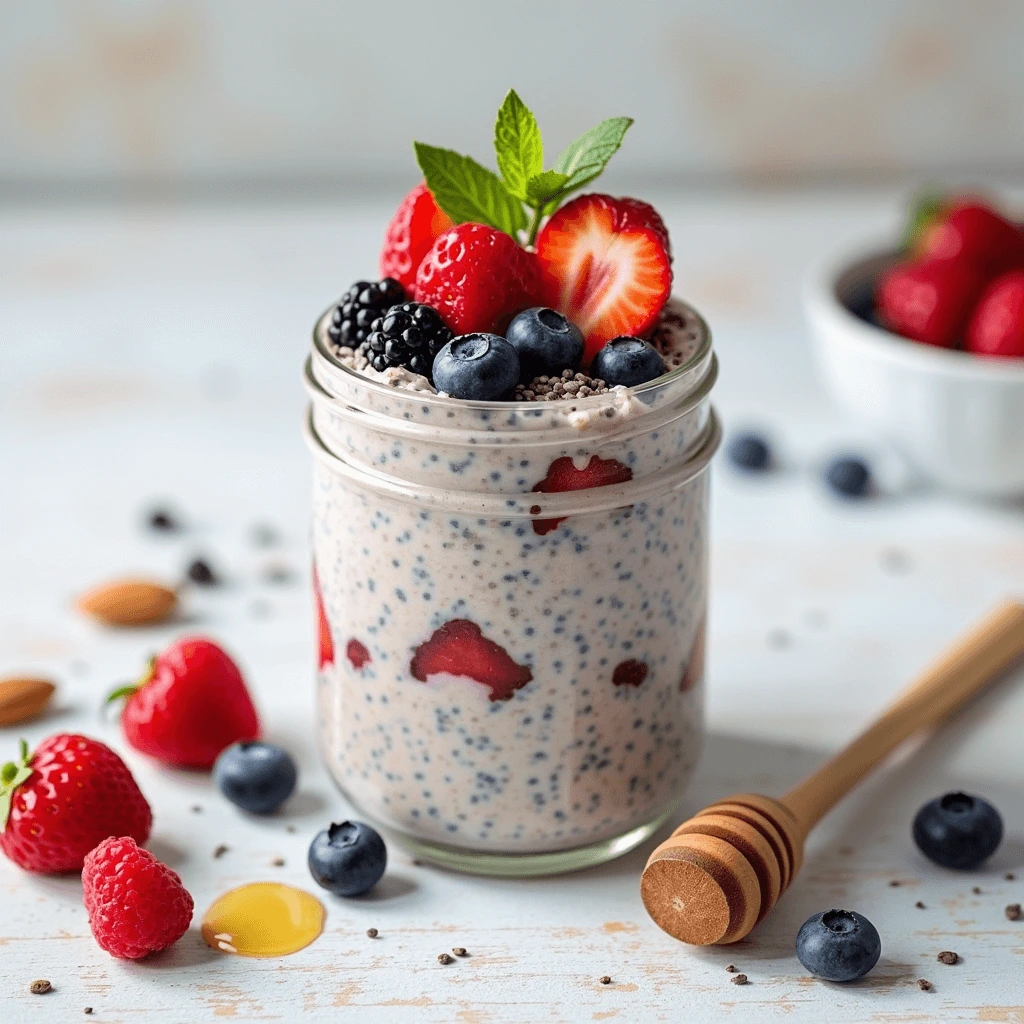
(190, 706)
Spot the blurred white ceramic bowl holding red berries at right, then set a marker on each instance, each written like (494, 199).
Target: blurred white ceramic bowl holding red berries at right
(958, 417)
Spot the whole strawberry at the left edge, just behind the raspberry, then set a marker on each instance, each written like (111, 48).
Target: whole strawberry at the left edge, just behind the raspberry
(70, 795)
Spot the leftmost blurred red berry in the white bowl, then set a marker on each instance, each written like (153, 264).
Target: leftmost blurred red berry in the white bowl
(928, 302)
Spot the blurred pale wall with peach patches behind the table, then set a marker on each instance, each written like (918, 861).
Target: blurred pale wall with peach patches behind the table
(315, 98)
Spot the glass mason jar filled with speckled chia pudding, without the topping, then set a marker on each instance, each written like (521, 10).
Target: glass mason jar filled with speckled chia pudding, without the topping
(511, 602)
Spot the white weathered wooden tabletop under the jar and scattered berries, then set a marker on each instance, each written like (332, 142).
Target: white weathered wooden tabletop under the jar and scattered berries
(155, 356)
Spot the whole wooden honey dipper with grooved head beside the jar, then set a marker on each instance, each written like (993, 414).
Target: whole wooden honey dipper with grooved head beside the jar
(723, 871)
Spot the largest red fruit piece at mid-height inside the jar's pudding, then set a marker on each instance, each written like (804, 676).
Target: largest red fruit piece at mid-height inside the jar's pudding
(460, 649)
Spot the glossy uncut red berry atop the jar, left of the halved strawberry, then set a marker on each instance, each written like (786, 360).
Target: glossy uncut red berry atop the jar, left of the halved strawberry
(478, 279)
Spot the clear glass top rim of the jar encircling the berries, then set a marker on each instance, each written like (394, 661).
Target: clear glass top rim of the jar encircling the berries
(665, 382)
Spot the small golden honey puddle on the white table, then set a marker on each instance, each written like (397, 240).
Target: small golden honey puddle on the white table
(265, 919)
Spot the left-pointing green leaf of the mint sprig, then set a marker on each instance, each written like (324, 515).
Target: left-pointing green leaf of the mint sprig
(468, 192)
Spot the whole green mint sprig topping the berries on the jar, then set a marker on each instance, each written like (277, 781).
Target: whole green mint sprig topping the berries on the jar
(468, 192)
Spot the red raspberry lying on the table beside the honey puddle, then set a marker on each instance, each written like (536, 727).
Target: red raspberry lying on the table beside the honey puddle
(137, 906)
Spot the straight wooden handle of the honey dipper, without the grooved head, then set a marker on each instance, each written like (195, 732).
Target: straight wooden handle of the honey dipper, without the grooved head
(973, 662)
